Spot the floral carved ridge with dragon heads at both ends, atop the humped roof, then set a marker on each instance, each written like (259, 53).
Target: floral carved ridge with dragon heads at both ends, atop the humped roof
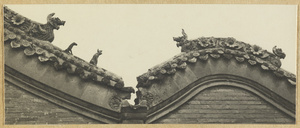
(211, 44)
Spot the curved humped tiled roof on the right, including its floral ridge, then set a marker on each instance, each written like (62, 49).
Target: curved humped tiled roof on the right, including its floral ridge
(202, 48)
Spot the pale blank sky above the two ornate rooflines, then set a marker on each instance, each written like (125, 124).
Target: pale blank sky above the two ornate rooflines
(135, 38)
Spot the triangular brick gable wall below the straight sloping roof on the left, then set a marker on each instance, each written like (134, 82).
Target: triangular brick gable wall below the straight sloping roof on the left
(22, 107)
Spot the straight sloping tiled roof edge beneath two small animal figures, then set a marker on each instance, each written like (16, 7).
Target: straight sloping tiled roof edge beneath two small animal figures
(19, 38)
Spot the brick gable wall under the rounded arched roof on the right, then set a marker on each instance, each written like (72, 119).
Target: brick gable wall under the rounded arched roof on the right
(224, 104)
